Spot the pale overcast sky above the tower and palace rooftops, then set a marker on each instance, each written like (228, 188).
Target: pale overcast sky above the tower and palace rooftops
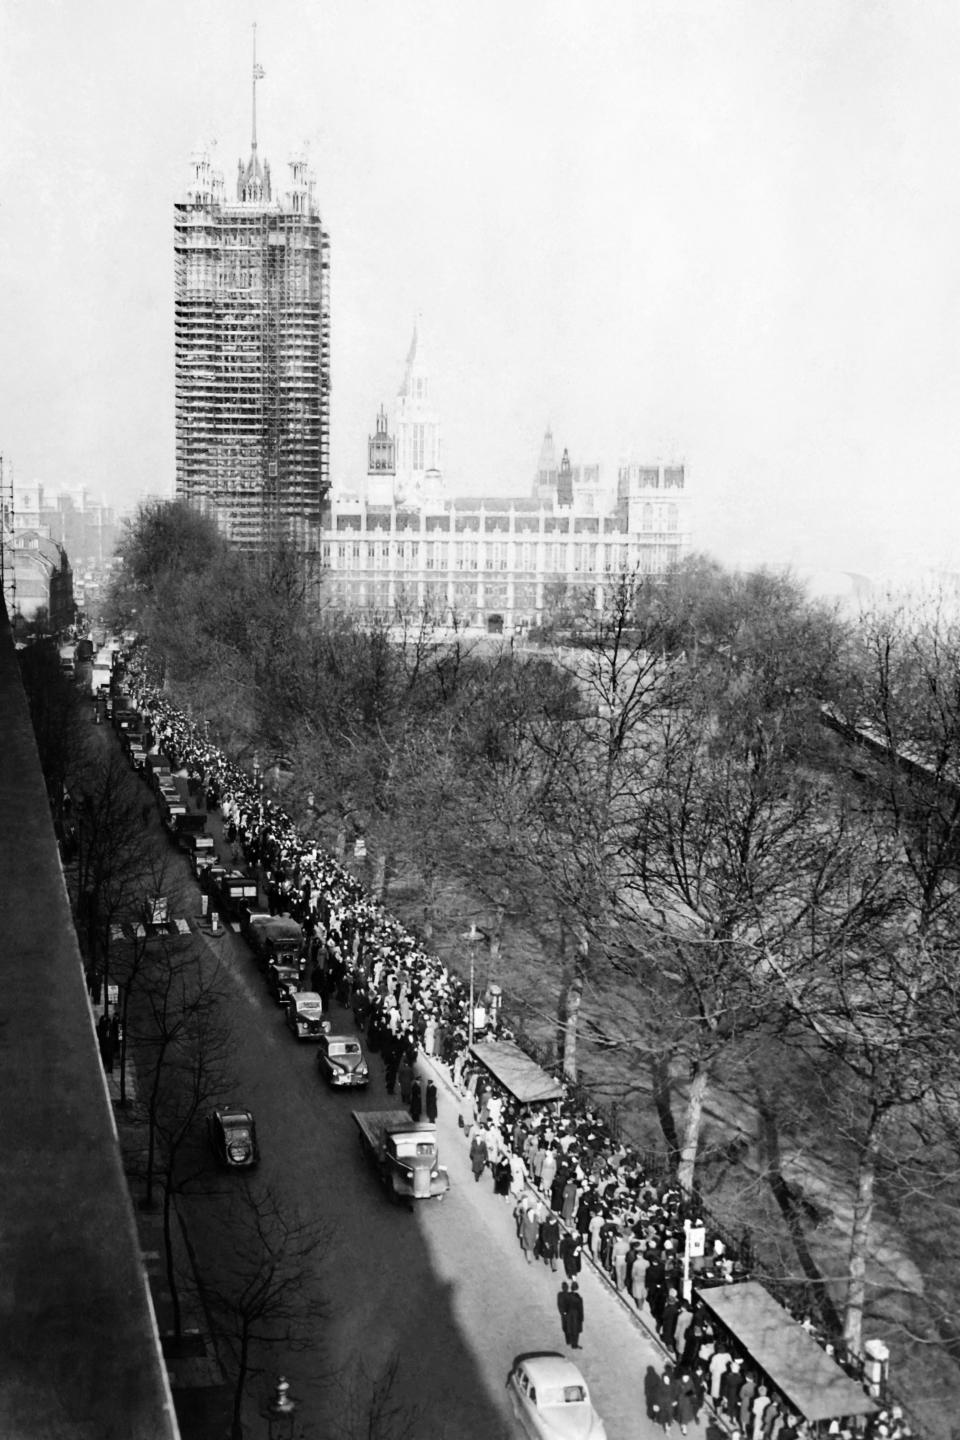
(717, 233)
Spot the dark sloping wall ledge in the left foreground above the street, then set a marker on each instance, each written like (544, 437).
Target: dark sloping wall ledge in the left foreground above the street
(80, 1354)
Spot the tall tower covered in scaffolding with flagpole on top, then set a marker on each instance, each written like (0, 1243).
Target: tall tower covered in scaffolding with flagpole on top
(253, 352)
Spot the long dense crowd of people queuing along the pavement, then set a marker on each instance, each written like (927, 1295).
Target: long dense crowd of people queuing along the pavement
(575, 1190)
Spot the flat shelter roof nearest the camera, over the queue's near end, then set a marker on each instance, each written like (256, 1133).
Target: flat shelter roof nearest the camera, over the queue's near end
(791, 1359)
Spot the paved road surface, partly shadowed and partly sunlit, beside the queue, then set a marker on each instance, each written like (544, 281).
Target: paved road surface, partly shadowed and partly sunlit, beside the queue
(444, 1290)
